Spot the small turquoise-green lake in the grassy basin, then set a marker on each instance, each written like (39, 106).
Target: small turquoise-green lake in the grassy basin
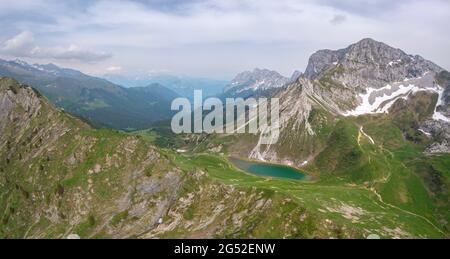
(268, 170)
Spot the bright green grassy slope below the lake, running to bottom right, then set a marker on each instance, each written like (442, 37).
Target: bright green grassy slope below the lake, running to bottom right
(346, 210)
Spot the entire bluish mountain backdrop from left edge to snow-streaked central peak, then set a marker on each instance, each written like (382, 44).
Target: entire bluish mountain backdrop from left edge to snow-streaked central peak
(129, 103)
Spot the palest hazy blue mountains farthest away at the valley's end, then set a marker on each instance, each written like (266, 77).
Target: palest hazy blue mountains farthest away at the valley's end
(182, 85)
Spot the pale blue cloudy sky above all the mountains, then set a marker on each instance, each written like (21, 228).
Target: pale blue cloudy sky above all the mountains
(213, 38)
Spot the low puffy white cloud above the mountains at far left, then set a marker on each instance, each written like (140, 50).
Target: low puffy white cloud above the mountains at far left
(23, 45)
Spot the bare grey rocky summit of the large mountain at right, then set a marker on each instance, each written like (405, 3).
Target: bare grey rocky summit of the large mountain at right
(368, 63)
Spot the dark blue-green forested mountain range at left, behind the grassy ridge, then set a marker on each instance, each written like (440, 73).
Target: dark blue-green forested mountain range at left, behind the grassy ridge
(101, 102)
